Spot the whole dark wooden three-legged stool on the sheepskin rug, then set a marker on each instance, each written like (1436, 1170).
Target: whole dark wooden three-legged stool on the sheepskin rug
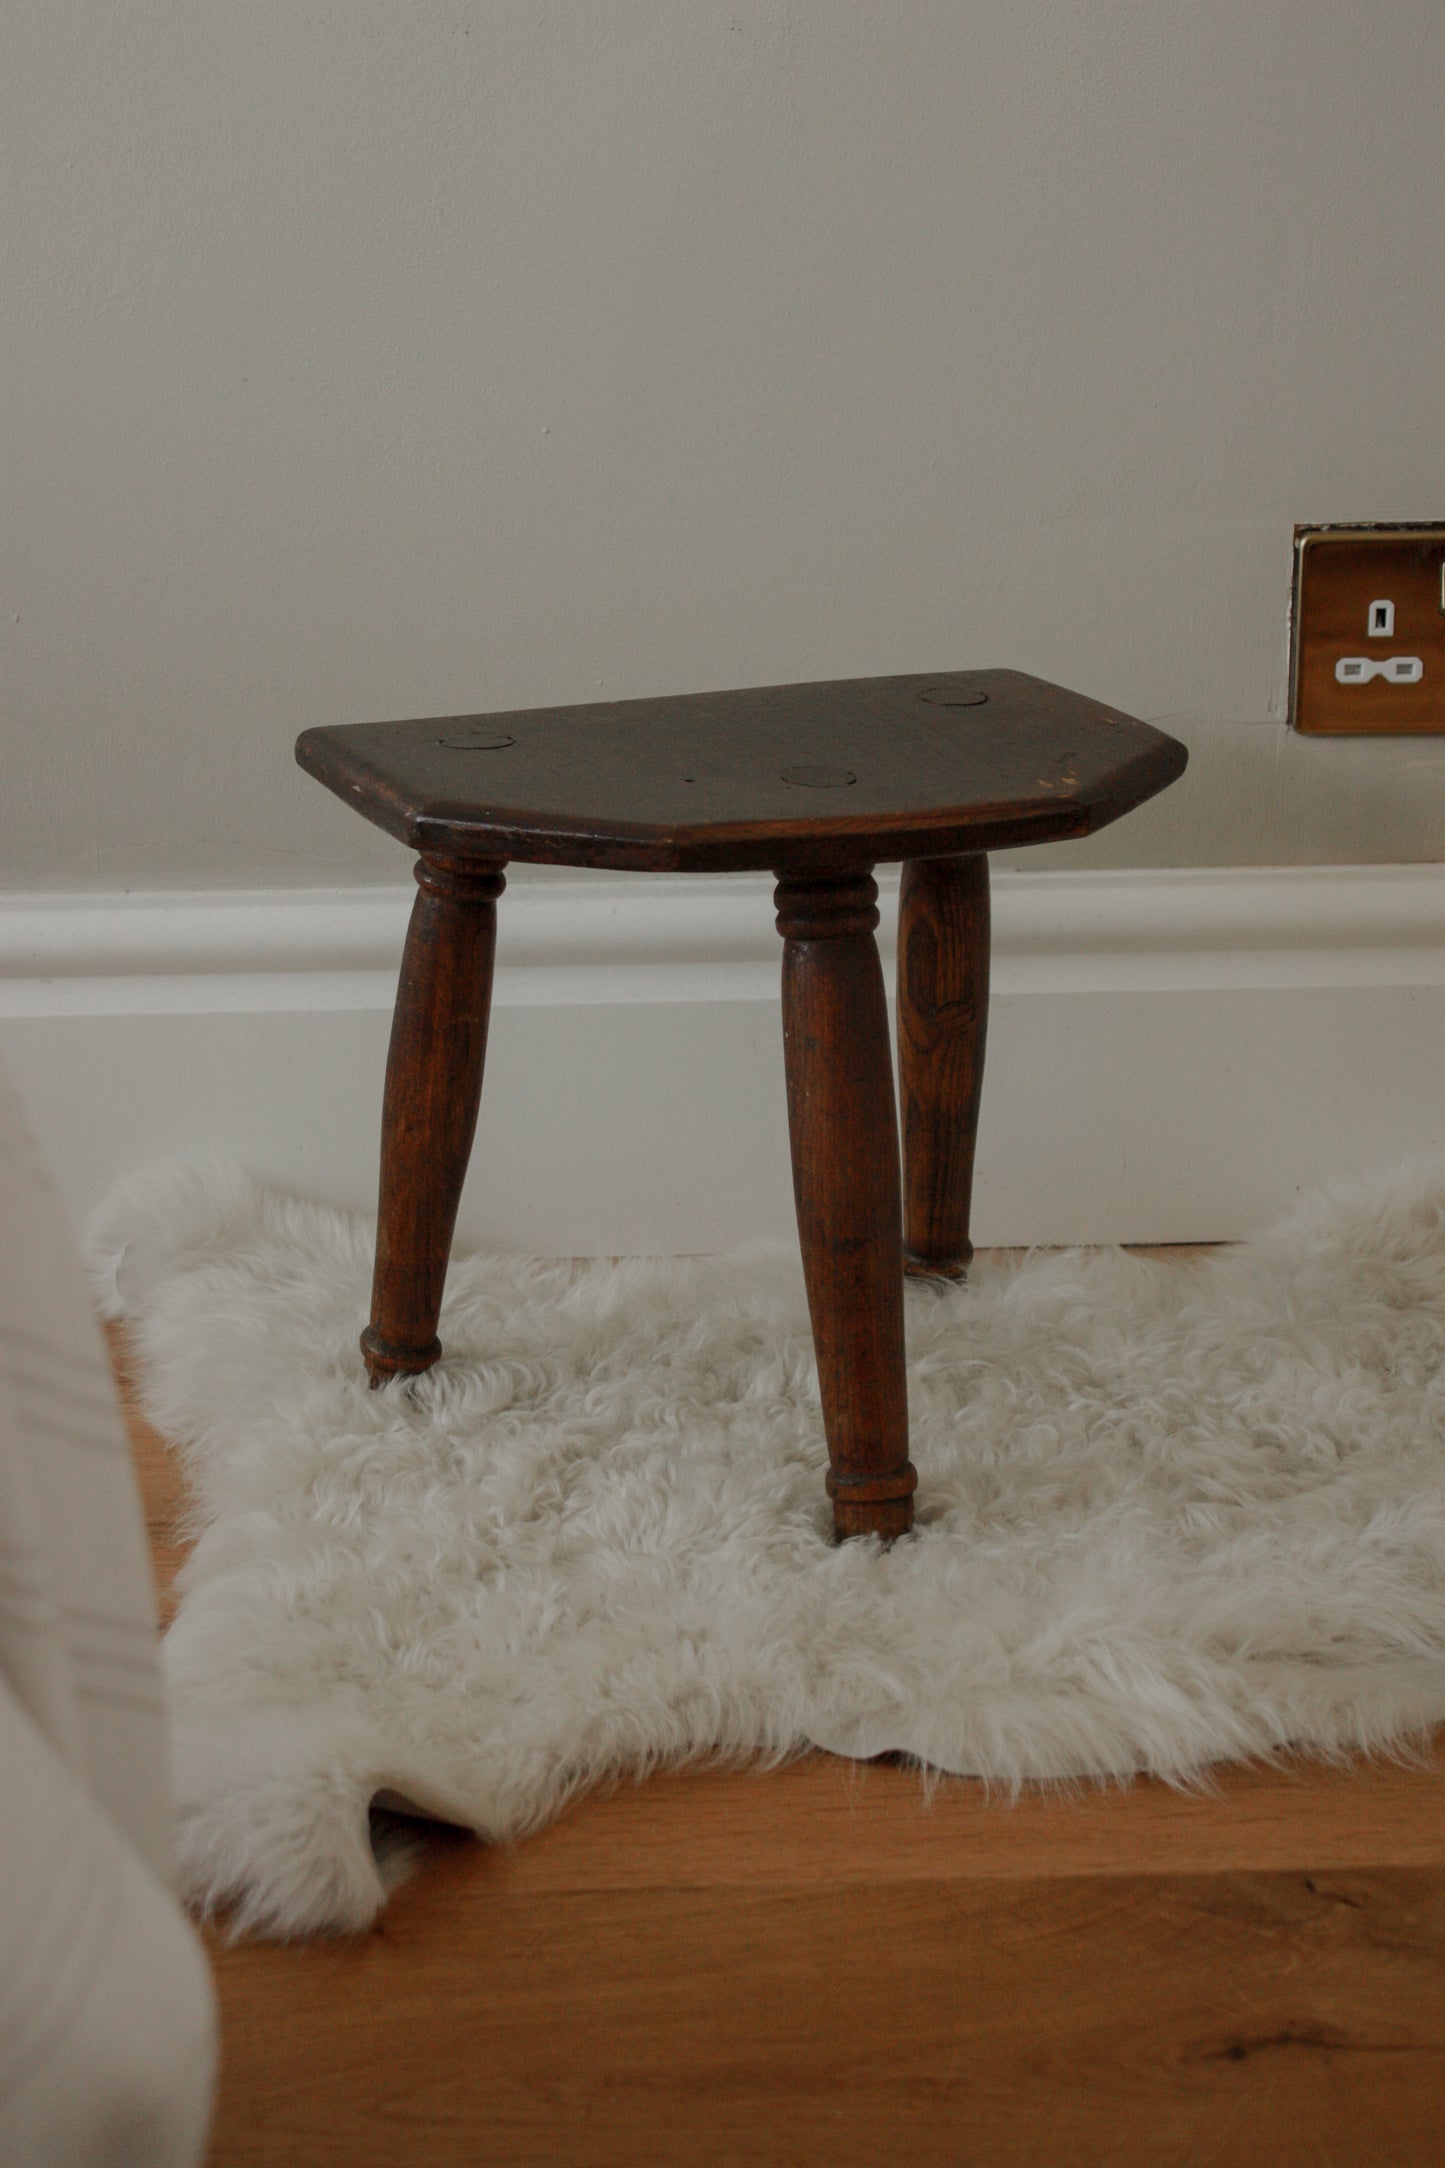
(816, 784)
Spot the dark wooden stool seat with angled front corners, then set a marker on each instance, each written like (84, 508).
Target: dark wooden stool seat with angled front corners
(779, 777)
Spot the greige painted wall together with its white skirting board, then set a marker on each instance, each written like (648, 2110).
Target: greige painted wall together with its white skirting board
(378, 359)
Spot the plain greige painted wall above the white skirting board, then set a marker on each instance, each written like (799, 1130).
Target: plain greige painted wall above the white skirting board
(378, 361)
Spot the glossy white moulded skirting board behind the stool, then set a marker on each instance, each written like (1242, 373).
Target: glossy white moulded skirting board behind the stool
(1171, 1053)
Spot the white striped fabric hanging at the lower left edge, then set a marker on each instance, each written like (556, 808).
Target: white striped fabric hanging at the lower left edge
(107, 2013)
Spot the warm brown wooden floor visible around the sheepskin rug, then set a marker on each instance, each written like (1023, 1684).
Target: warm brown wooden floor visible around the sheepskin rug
(822, 1965)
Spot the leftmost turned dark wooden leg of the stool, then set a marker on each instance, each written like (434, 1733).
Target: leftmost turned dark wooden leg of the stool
(430, 1107)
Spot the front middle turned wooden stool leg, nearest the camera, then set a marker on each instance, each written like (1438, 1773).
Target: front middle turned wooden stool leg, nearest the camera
(846, 1180)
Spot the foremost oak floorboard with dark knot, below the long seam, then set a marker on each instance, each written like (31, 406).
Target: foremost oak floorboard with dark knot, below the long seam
(1132, 2019)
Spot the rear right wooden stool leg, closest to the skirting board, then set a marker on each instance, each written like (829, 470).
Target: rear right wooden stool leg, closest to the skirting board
(943, 1022)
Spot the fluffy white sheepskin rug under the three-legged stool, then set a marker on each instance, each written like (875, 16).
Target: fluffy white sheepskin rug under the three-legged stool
(1169, 1514)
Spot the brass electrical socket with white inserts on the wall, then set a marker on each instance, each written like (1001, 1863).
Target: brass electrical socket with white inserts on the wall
(1368, 630)
